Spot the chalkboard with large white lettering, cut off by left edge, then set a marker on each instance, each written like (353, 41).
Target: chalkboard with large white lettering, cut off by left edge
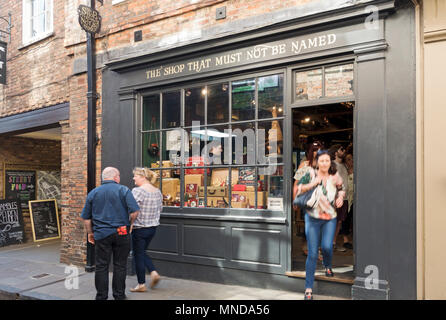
(11, 223)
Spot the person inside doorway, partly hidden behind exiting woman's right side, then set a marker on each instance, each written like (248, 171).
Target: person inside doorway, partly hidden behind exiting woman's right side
(337, 153)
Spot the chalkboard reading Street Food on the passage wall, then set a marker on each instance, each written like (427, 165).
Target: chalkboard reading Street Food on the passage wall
(21, 185)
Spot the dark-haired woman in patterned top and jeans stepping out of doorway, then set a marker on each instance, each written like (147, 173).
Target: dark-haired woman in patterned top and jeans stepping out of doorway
(320, 221)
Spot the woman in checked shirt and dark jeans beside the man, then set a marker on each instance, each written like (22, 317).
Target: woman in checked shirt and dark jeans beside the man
(150, 200)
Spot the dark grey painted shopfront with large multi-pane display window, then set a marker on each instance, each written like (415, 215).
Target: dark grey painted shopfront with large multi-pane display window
(229, 219)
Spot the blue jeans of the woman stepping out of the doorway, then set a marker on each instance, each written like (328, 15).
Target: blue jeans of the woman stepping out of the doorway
(315, 230)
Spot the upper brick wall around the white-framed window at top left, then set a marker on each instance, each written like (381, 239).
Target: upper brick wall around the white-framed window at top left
(37, 74)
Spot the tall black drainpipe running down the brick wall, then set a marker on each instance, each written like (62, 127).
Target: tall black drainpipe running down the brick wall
(91, 128)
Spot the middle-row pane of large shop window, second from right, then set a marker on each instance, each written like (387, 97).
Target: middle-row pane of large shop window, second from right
(243, 143)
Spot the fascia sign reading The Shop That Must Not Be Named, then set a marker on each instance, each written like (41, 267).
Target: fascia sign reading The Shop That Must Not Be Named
(292, 48)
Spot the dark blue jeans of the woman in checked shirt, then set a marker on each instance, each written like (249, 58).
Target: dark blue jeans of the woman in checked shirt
(141, 238)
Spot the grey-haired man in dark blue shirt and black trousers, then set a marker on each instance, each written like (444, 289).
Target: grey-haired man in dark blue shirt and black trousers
(108, 214)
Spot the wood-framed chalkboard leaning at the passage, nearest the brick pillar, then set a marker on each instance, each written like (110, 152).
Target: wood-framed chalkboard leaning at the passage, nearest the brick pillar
(44, 219)
